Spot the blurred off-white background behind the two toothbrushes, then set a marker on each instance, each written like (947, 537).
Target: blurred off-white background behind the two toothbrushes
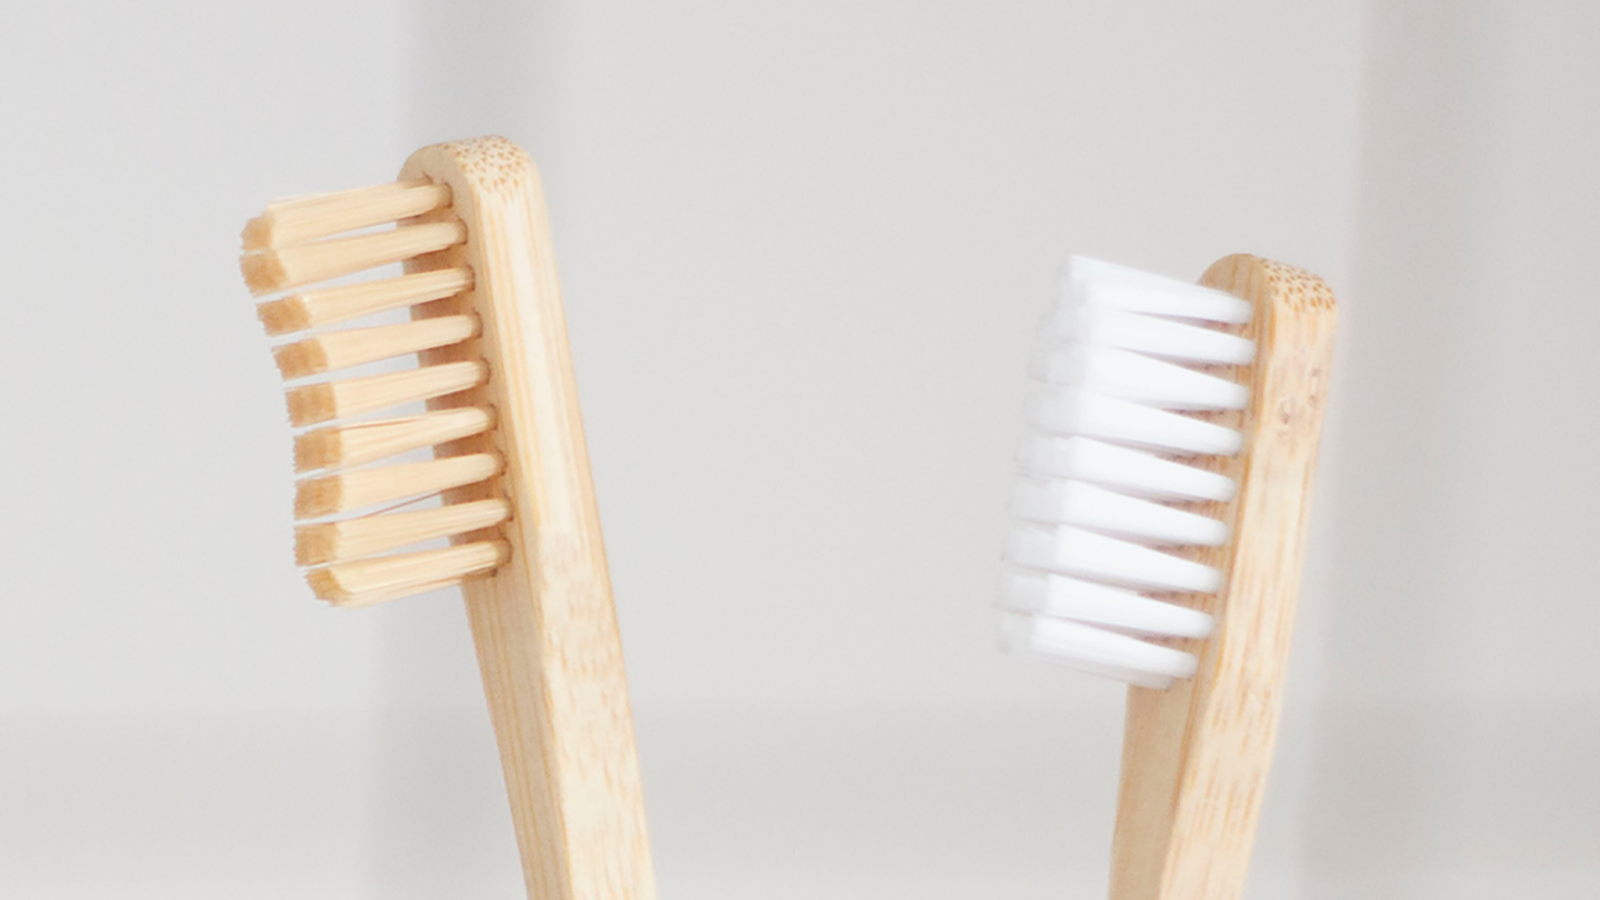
(804, 249)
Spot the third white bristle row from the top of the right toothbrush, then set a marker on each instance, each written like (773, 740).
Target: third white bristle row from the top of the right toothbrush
(1135, 377)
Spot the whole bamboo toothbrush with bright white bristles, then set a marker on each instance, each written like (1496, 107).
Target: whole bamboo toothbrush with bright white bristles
(1159, 531)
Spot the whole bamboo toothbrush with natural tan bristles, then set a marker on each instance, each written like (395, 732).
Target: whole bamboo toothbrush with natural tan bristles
(510, 460)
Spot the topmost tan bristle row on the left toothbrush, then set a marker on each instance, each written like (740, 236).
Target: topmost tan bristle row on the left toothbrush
(313, 219)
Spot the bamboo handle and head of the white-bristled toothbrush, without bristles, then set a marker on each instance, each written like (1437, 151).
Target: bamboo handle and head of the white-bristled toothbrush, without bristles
(1196, 758)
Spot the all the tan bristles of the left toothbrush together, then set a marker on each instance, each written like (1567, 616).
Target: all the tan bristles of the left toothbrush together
(298, 244)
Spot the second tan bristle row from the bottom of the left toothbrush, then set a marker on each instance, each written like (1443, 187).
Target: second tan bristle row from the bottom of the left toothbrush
(356, 539)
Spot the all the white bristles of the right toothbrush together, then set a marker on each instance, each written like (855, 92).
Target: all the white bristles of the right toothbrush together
(1094, 523)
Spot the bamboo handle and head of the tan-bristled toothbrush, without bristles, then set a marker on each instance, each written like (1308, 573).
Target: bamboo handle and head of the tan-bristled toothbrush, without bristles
(545, 625)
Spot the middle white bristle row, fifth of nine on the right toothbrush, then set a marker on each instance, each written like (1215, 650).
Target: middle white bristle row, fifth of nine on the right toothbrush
(1130, 472)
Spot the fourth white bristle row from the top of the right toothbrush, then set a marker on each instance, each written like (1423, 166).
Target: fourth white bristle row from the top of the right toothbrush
(1076, 411)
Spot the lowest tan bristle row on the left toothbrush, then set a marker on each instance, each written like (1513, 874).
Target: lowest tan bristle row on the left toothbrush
(390, 577)
